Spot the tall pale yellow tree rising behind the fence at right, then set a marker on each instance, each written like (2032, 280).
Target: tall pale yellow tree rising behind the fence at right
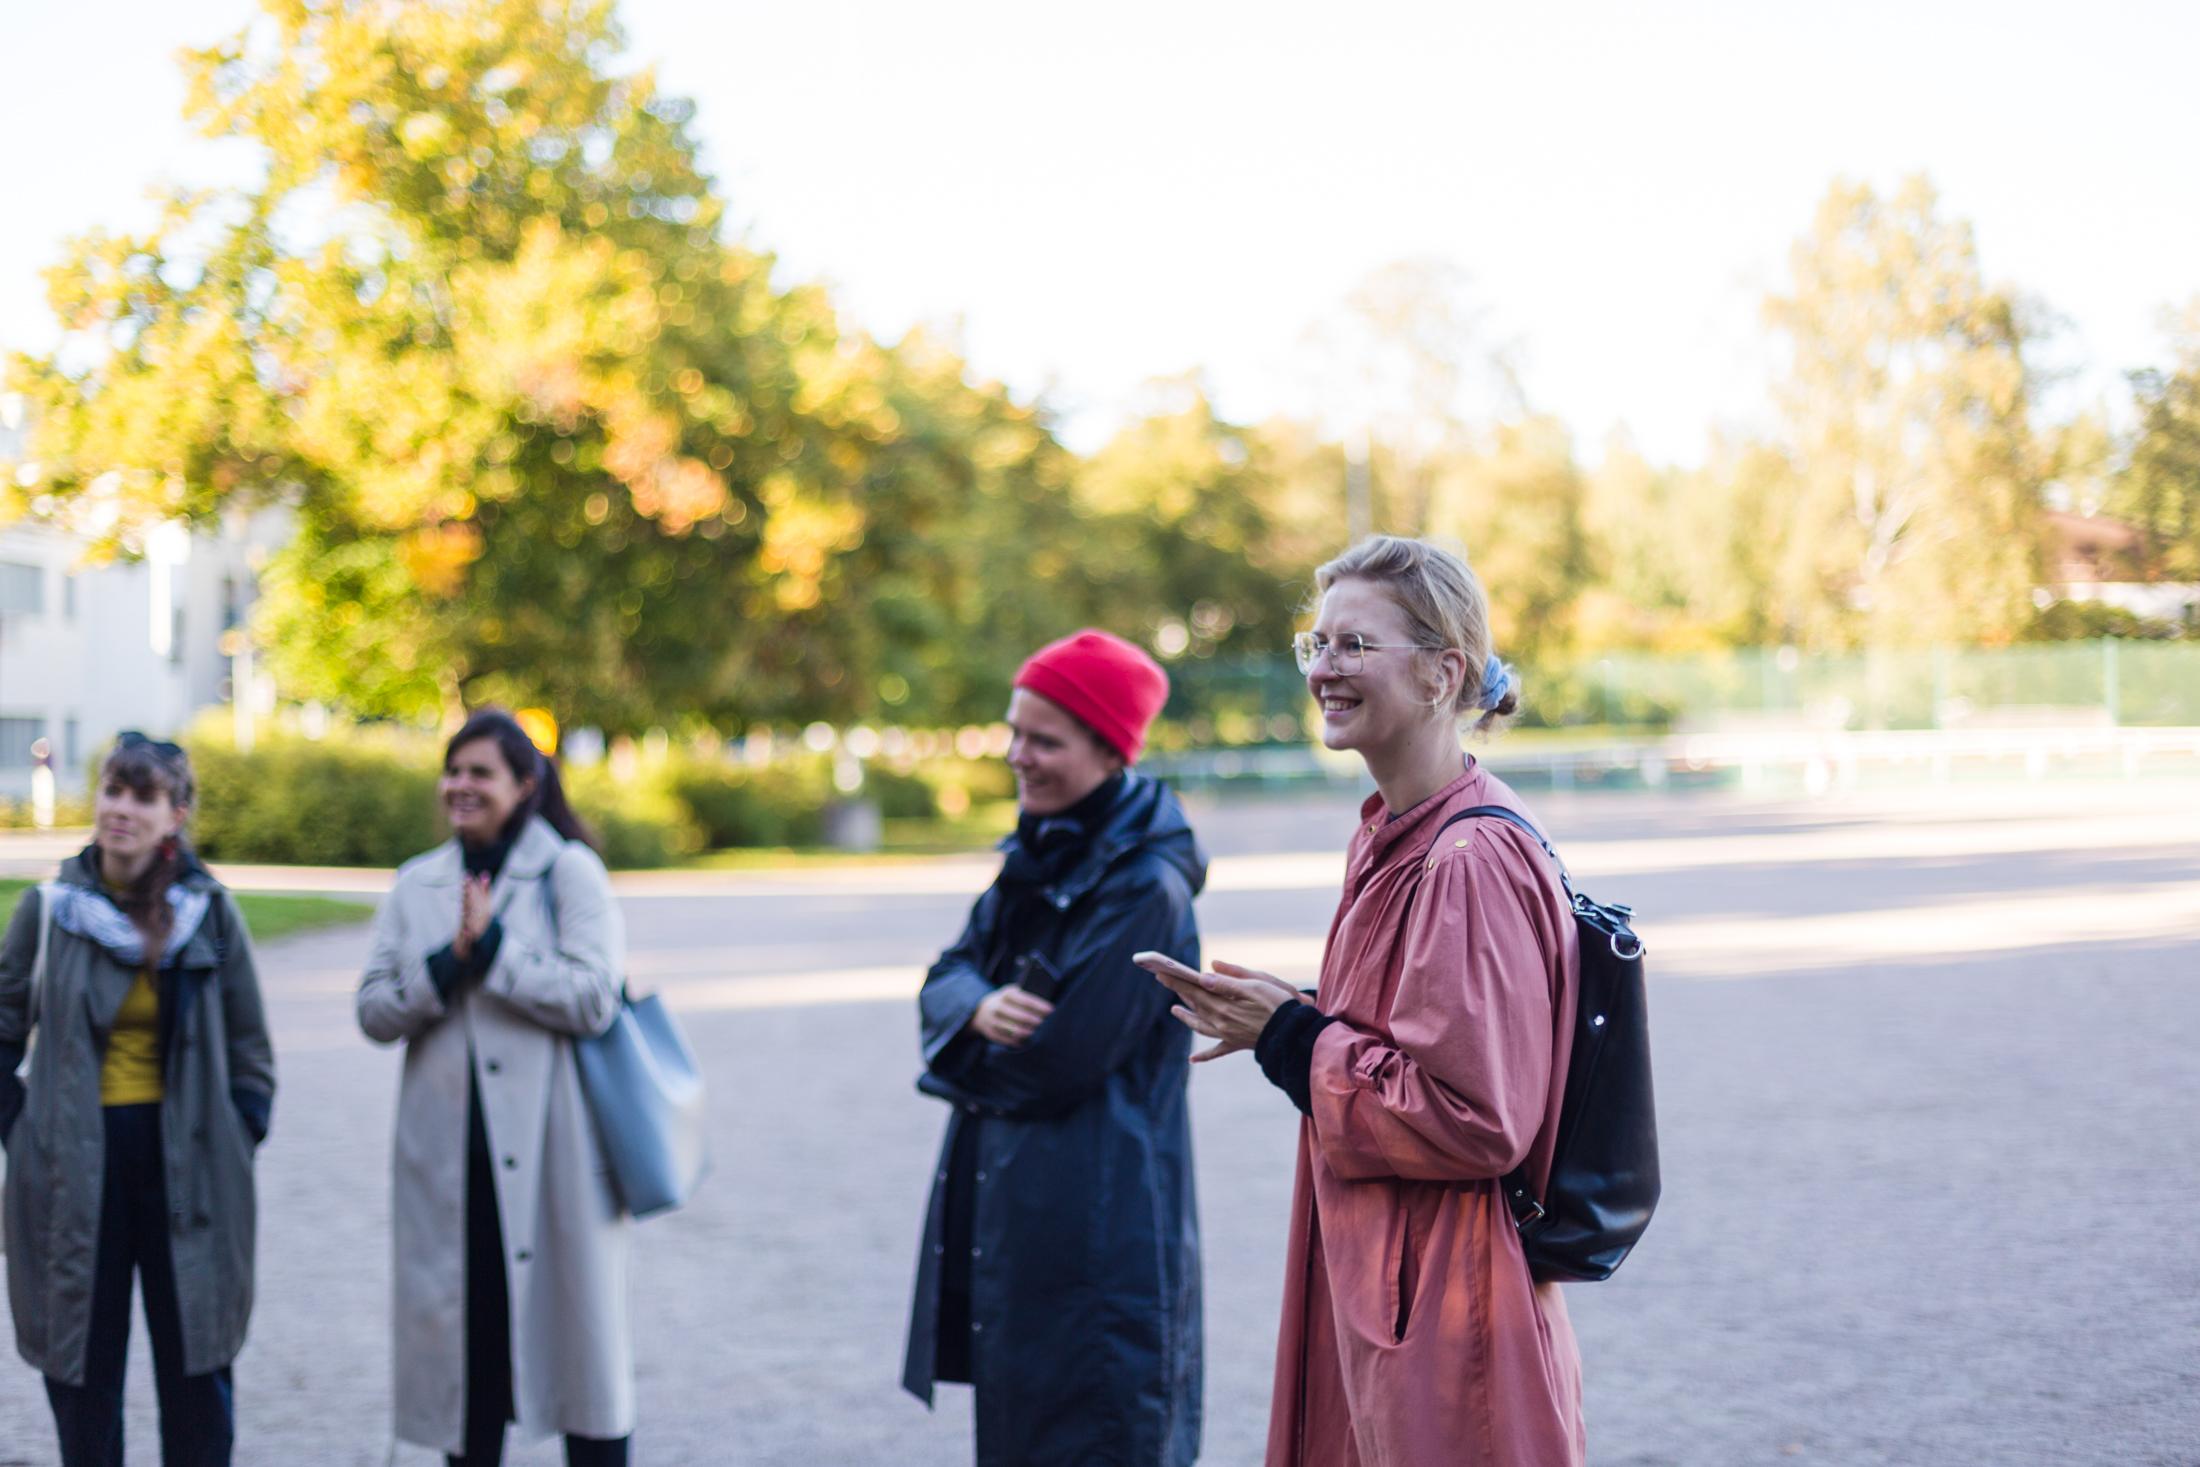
(1913, 511)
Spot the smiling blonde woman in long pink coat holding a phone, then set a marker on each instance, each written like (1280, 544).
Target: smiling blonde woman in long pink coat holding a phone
(1429, 1068)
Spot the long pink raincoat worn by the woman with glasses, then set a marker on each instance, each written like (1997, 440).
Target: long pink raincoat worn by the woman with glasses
(1411, 1330)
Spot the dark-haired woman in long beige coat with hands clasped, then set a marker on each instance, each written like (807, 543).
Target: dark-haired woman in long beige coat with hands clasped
(492, 956)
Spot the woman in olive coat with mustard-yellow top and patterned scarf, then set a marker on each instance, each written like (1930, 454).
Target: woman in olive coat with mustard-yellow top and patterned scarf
(131, 1149)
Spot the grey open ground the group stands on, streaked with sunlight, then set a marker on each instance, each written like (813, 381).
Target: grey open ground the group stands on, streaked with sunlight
(1926, 1083)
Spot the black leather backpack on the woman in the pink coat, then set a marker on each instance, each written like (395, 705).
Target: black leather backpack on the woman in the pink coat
(1605, 1173)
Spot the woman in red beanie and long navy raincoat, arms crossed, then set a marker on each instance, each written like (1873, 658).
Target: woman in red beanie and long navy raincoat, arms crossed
(1059, 1270)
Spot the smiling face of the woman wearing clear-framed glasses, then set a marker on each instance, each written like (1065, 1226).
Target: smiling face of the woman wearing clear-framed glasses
(1389, 701)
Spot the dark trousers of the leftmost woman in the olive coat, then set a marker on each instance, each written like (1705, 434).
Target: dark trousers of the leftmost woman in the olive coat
(197, 1411)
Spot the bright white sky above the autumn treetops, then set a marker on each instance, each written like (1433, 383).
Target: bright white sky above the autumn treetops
(1110, 195)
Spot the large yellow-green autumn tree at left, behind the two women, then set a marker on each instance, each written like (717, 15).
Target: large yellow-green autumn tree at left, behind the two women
(544, 434)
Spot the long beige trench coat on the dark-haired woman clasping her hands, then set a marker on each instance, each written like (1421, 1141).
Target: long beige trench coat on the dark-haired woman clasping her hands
(555, 978)
